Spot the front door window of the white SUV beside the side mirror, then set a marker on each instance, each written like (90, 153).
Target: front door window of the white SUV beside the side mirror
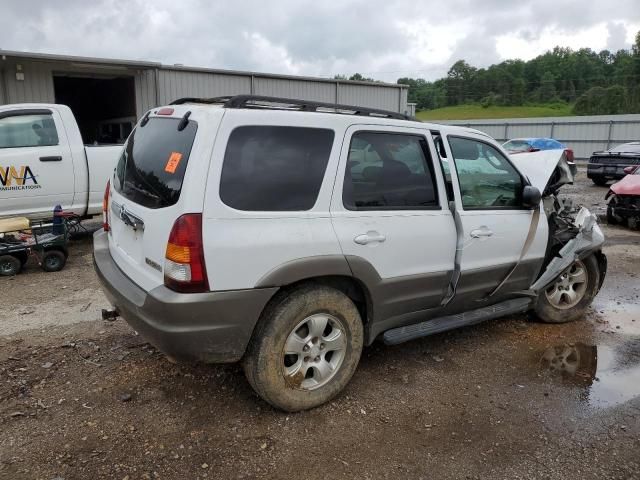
(487, 179)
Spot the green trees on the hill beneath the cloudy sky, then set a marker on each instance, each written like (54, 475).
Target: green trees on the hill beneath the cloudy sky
(583, 76)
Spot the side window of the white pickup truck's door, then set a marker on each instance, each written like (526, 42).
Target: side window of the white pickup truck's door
(37, 130)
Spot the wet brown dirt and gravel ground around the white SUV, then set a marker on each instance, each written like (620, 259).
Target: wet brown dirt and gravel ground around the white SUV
(81, 398)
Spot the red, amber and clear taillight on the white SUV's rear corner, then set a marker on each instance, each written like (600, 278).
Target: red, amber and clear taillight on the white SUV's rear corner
(184, 269)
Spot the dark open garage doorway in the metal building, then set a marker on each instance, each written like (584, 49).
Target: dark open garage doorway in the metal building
(105, 107)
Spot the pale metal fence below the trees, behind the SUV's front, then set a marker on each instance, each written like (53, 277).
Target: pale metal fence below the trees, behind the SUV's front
(584, 135)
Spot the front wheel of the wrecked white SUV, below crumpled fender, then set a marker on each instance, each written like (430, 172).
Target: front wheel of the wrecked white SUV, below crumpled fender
(568, 298)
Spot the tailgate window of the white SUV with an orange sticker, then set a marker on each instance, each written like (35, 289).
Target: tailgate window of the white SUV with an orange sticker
(151, 169)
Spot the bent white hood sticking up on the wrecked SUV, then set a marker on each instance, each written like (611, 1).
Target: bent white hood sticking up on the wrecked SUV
(547, 168)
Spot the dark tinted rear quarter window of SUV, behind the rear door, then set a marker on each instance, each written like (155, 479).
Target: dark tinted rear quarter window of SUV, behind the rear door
(269, 168)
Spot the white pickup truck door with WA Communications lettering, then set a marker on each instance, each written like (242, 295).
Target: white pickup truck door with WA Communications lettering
(36, 167)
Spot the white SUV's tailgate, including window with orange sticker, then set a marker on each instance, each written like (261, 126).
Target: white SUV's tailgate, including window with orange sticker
(160, 175)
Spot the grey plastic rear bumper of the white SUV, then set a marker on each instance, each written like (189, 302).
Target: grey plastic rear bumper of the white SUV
(212, 327)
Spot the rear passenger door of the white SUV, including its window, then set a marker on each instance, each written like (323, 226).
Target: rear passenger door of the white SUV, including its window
(390, 214)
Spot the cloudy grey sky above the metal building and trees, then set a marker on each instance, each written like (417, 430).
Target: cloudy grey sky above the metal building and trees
(383, 39)
